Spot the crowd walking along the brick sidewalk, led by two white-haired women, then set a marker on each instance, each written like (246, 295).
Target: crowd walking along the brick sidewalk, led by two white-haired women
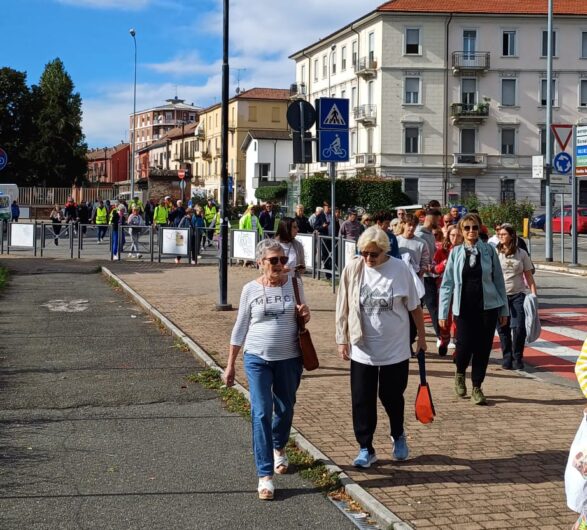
(471, 286)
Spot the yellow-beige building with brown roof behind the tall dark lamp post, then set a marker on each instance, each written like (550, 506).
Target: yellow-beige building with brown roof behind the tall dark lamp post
(257, 108)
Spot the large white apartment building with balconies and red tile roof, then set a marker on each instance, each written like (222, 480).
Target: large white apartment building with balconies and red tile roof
(450, 97)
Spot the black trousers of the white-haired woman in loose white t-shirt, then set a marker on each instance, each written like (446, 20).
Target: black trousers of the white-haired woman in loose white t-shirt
(392, 380)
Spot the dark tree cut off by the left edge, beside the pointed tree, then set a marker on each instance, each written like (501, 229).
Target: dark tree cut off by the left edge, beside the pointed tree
(16, 126)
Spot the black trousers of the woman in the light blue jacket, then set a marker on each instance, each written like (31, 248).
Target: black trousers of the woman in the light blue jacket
(474, 340)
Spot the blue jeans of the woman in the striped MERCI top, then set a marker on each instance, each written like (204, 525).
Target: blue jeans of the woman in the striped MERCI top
(273, 386)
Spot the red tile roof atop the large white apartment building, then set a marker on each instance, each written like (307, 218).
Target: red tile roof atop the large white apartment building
(508, 7)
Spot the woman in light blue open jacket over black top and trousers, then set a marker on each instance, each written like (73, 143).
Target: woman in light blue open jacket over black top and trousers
(474, 282)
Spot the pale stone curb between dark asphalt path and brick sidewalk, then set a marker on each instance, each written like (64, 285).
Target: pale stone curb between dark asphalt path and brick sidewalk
(385, 517)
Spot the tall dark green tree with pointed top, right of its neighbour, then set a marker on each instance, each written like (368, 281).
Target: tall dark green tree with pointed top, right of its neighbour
(60, 146)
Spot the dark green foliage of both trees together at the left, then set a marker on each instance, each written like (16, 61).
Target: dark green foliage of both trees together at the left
(40, 128)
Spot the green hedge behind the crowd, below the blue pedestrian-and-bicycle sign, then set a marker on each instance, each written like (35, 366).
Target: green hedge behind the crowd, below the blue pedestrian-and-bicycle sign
(370, 193)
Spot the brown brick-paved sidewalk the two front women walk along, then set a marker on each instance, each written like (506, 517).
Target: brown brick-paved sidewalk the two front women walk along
(499, 466)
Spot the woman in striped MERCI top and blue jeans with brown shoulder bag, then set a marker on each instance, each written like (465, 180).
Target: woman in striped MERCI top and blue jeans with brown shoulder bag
(266, 324)
